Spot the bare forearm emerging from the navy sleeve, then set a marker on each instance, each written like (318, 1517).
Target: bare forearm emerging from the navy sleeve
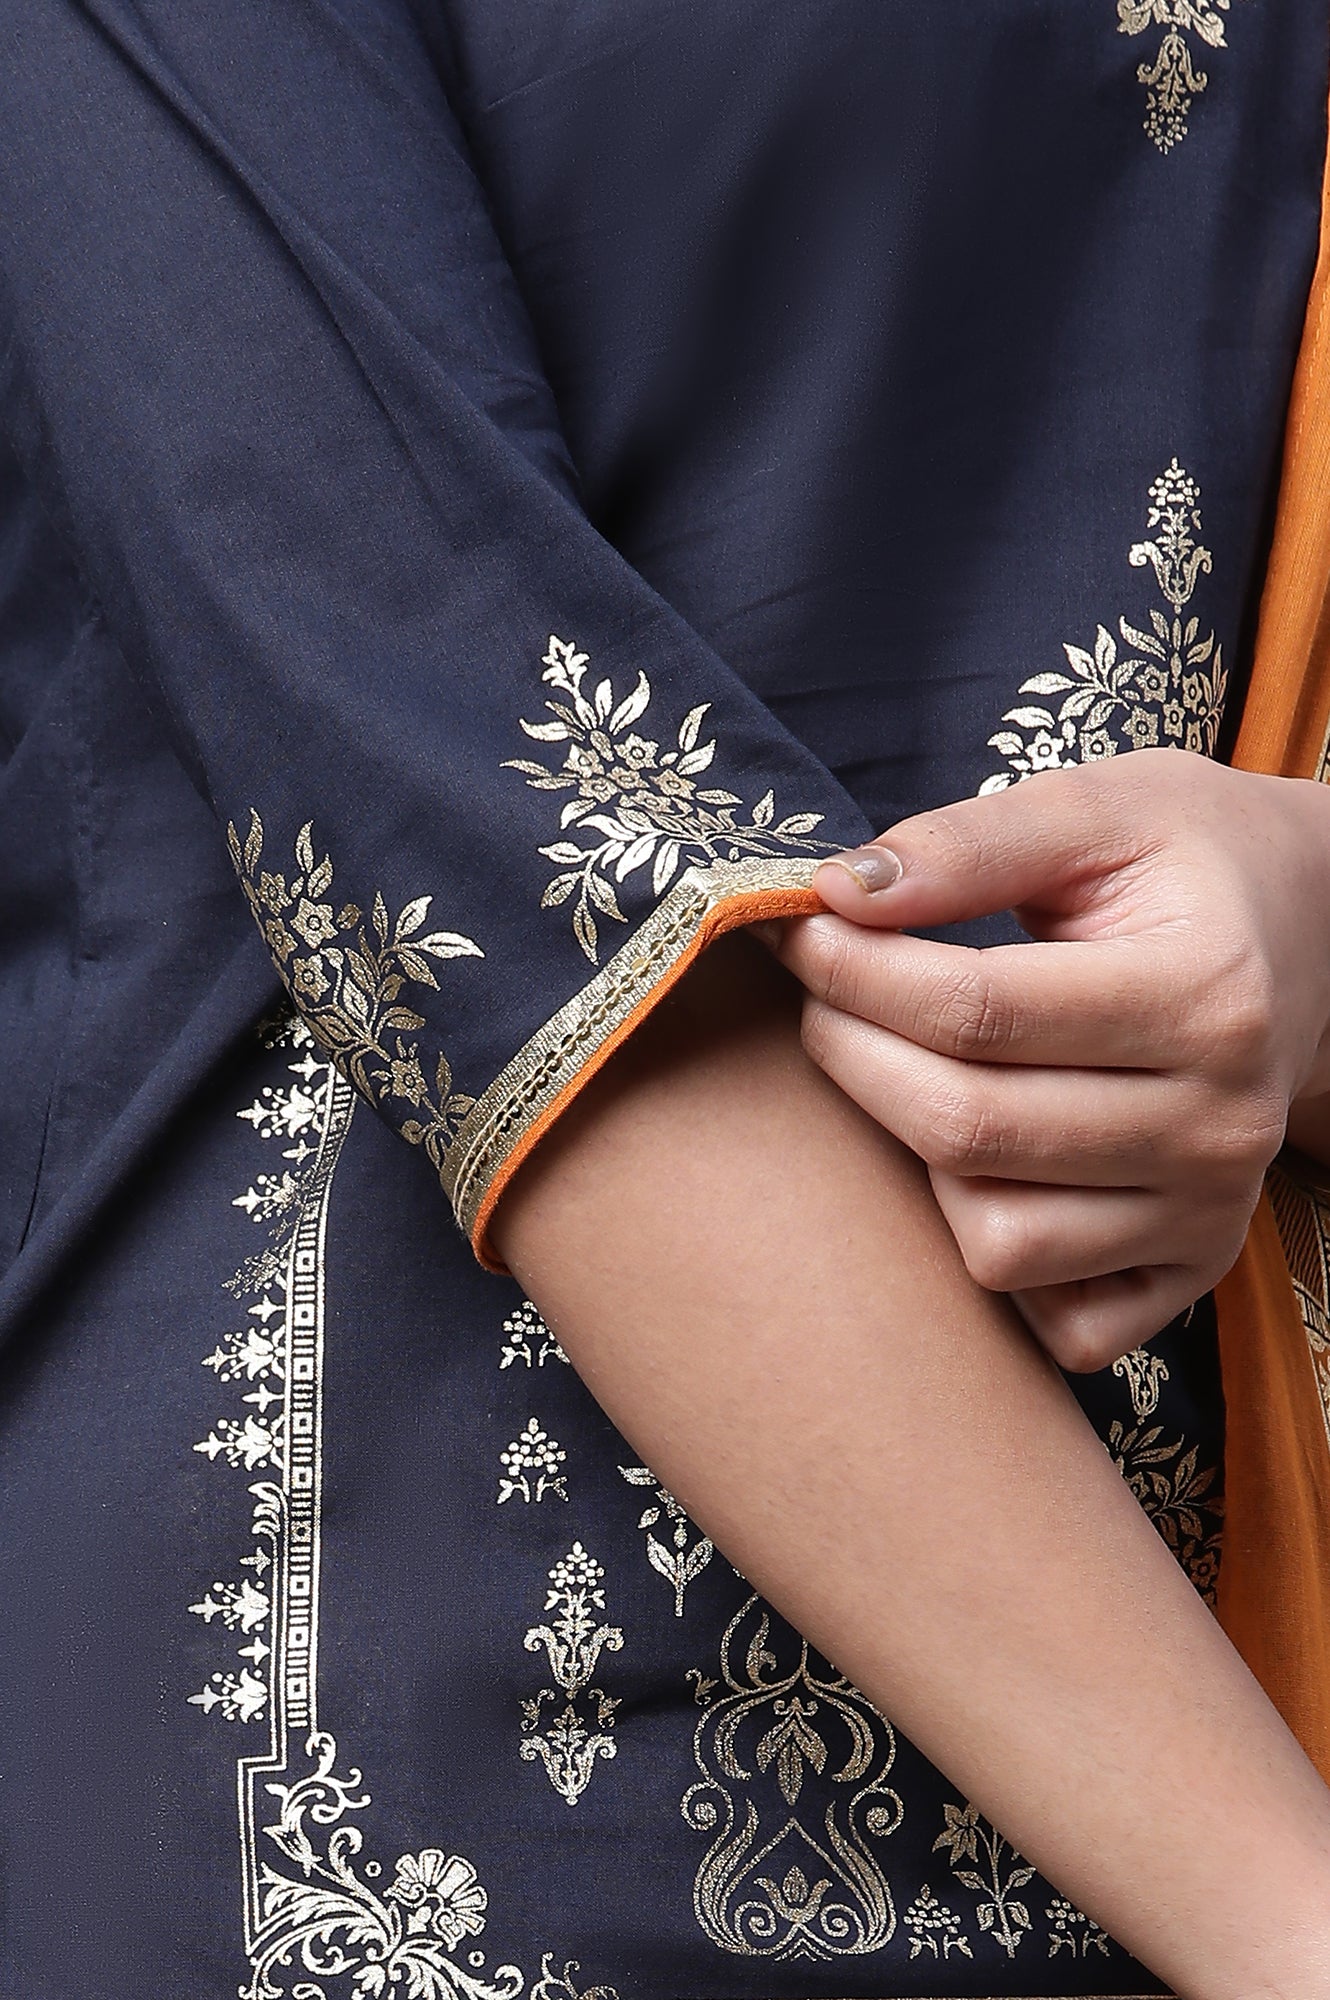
(757, 1285)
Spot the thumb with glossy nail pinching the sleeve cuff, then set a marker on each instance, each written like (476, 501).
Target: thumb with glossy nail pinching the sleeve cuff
(1049, 841)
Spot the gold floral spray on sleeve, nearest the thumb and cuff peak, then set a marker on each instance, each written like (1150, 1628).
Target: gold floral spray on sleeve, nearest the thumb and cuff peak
(641, 805)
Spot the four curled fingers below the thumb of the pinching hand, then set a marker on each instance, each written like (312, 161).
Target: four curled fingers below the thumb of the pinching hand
(1103, 1201)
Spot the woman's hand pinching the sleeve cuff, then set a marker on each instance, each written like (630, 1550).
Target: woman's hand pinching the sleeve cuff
(1097, 1109)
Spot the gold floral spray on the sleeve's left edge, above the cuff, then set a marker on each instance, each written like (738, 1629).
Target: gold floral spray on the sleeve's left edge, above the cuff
(347, 975)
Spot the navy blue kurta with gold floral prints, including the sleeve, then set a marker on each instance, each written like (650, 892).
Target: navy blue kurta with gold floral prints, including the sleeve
(483, 491)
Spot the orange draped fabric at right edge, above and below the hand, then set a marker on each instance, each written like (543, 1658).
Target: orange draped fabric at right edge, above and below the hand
(1275, 1577)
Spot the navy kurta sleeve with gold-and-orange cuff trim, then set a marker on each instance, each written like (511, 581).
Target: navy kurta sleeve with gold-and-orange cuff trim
(485, 791)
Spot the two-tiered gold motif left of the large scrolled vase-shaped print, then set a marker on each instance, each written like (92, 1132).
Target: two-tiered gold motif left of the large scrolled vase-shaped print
(573, 1641)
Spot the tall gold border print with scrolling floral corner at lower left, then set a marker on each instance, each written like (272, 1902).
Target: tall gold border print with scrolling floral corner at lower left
(319, 1921)
